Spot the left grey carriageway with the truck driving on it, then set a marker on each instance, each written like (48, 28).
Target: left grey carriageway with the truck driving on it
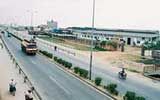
(51, 82)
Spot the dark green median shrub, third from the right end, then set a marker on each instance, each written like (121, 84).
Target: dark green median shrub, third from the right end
(111, 88)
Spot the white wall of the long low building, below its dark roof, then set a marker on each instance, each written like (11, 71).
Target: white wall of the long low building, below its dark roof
(129, 38)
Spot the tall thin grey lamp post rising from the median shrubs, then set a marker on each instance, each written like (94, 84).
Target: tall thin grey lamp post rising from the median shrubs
(91, 53)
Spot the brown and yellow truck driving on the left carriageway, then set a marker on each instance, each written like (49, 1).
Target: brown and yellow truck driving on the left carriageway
(29, 46)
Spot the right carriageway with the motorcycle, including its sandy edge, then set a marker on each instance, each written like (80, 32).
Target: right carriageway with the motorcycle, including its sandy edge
(143, 86)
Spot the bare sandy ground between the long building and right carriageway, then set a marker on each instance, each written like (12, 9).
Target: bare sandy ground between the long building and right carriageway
(127, 59)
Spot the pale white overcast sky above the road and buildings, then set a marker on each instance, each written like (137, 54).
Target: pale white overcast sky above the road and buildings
(121, 14)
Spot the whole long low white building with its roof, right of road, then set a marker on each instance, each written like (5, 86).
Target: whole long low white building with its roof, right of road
(131, 37)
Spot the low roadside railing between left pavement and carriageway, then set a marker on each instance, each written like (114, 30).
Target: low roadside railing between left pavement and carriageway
(21, 72)
